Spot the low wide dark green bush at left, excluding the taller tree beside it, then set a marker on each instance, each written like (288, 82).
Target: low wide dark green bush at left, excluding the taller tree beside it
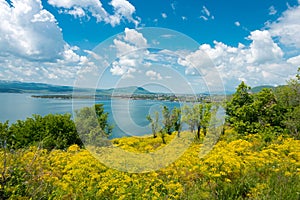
(49, 132)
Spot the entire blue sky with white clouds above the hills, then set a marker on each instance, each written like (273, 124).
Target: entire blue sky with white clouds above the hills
(168, 45)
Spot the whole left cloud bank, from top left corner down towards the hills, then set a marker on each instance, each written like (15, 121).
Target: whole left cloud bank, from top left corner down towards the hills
(32, 46)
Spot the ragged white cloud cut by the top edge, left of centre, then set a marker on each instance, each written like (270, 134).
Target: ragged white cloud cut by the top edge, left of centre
(122, 10)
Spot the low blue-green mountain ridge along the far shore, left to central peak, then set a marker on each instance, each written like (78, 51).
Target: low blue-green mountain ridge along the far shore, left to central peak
(42, 88)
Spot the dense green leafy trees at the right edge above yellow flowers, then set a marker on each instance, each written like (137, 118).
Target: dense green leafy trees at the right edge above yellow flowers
(270, 111)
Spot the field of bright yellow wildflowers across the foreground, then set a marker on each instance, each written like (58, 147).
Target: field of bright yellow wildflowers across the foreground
(238, 167)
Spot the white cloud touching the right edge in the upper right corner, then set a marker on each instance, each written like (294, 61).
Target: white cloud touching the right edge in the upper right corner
(287, 27)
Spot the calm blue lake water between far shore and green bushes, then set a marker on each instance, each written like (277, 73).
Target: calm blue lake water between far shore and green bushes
(127, 116)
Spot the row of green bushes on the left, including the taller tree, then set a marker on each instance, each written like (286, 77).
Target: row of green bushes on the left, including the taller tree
(55, 131)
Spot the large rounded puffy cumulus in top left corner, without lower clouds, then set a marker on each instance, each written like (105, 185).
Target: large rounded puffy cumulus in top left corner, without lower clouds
(29, 31)
